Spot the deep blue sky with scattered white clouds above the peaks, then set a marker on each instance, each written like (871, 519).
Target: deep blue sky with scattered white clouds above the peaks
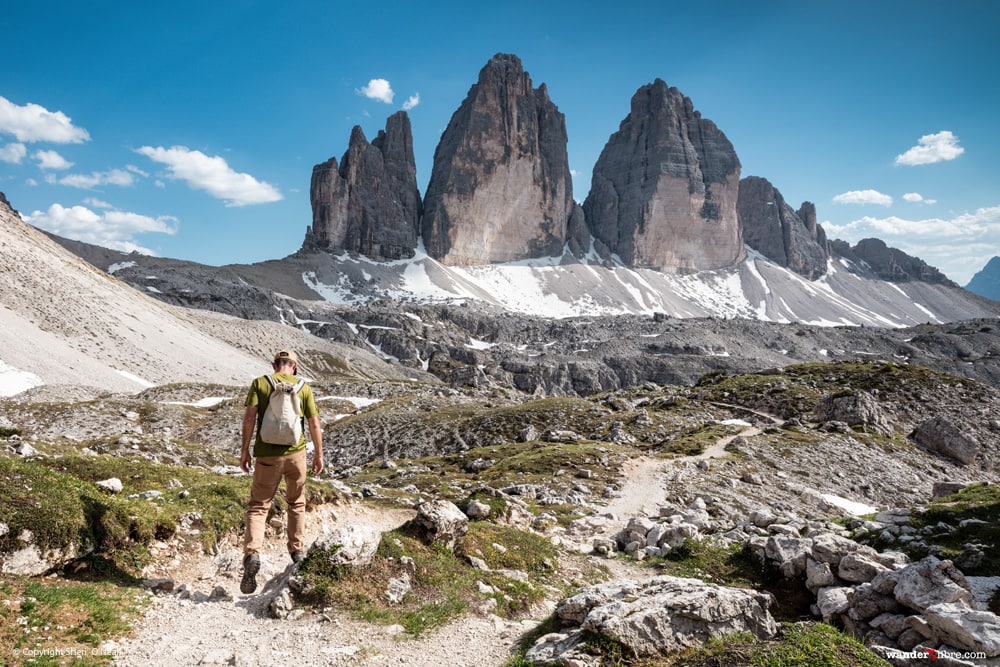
(190, 129)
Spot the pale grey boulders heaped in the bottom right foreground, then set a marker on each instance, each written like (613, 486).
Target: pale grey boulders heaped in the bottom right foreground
(880, 597)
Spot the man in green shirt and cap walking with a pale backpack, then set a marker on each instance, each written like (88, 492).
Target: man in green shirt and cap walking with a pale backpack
(276, 460)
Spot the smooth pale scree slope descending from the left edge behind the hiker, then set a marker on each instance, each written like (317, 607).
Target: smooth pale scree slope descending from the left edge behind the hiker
(65, 323)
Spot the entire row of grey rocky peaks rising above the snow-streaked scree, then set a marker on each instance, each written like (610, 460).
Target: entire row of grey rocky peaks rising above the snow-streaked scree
(665, 194)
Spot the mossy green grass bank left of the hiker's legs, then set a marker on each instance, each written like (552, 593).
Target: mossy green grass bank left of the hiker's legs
(57, 501)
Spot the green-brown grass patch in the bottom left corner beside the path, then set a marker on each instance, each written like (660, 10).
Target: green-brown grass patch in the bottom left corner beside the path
(63, 622)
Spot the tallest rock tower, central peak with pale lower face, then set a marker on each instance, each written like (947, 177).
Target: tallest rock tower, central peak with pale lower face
(500, 189)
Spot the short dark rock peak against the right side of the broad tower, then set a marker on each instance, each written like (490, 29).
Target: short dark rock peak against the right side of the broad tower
(771, 227)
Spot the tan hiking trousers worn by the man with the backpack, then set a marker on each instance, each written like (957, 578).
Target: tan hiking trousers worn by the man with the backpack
(268, 472)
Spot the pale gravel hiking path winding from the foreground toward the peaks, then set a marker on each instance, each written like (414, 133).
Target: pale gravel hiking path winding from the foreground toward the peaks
(235, 629)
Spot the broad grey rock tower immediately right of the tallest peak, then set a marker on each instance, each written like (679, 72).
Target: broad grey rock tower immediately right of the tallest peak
(664, 189)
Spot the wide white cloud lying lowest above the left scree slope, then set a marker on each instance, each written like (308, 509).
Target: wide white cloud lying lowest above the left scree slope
(109, 229)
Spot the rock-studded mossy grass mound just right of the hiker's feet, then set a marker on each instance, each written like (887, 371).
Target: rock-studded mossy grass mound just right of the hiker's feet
(444, 584)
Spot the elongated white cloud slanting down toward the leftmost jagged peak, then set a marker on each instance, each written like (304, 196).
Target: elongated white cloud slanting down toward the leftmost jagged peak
(212, 175)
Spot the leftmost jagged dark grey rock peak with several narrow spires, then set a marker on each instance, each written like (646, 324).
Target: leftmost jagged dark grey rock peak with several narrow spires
(370, 203)
